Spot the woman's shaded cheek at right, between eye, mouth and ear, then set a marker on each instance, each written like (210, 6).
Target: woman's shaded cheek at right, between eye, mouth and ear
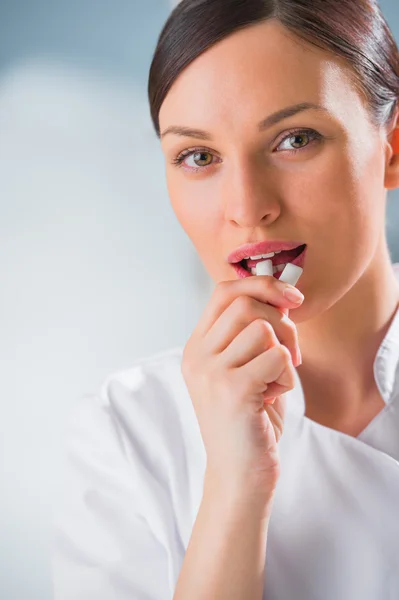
(341, 213)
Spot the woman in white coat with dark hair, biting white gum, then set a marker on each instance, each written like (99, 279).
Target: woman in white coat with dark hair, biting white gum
(262, 460)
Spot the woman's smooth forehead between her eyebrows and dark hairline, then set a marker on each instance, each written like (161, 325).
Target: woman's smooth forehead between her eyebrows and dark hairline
(254, 72)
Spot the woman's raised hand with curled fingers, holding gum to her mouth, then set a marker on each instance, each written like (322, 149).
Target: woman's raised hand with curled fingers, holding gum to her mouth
(237, 365)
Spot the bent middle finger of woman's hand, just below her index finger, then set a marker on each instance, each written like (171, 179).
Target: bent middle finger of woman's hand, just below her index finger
(241, 312)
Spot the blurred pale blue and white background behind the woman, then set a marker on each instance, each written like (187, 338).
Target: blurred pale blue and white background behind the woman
(86, 227)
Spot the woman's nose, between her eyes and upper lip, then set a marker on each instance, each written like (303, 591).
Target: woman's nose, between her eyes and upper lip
(248, 198)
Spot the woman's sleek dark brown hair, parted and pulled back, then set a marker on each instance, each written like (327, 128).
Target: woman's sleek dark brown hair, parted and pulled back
(352, 29)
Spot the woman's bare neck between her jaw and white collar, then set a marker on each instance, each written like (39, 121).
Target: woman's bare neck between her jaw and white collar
(339, 346)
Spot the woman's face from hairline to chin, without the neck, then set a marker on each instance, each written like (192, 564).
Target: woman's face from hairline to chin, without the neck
(325, 189)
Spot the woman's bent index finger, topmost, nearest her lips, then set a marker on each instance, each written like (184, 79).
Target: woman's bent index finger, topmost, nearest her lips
(264, 288)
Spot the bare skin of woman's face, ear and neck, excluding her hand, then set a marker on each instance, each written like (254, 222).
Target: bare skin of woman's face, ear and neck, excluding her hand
(250, 186)
